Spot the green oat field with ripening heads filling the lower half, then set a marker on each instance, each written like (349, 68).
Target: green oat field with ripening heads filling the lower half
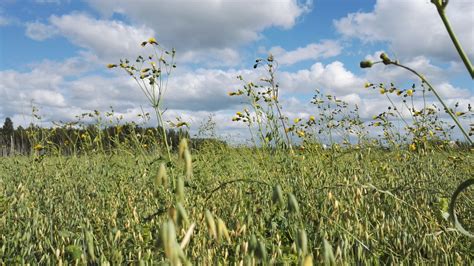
(238, 206)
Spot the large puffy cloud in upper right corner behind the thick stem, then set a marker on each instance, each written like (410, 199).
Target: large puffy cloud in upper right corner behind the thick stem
(413, 27)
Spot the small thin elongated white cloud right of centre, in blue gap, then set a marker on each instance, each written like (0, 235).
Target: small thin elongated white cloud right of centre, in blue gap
(313, 51)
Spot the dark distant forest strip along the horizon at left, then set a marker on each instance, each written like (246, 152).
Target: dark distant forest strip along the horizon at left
(69, 139)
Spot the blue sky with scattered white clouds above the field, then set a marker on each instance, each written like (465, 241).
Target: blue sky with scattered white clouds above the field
(54, 53)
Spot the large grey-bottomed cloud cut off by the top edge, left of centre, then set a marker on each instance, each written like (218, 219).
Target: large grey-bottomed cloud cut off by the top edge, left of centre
(207, 23)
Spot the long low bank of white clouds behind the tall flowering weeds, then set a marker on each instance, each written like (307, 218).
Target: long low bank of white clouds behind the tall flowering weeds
(64, 89)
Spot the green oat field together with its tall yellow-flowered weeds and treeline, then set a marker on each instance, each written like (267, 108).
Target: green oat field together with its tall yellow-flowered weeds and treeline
(315, 190)
